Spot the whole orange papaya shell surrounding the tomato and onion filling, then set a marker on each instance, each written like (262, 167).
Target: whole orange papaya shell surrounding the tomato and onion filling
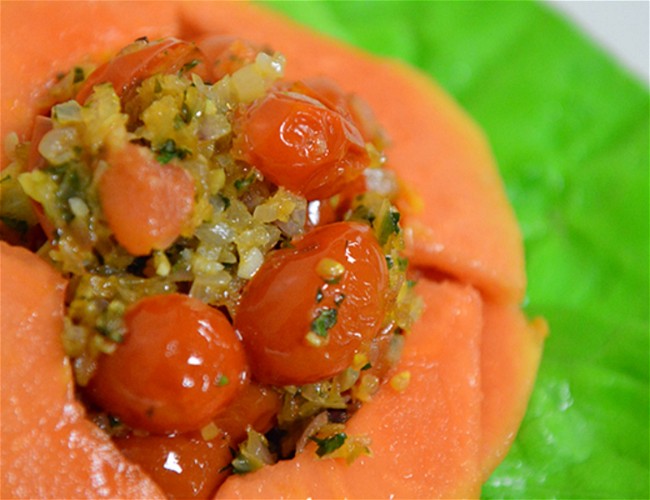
(472, 355)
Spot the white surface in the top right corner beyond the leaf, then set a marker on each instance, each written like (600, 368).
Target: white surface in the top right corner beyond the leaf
(620, 27)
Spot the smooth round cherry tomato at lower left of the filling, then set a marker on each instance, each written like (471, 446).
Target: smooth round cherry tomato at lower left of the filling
(179, 365)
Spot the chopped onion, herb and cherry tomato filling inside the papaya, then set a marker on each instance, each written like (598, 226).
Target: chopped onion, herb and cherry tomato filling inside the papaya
(237, 288)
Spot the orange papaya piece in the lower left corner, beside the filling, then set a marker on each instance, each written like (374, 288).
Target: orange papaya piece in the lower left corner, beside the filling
(49, 449)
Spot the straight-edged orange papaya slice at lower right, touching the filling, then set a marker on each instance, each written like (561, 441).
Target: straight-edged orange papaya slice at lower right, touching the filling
(425, 439)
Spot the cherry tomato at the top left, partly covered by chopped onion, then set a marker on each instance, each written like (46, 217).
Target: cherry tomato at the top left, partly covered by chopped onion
(128, 69)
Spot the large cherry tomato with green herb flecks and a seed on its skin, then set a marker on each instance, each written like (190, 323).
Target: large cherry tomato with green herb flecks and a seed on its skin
(309, 308)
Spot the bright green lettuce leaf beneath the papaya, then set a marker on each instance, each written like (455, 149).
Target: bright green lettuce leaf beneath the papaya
(570, 132)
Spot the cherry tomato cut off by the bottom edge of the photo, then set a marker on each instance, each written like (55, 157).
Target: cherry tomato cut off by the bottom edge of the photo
(184, 465)
